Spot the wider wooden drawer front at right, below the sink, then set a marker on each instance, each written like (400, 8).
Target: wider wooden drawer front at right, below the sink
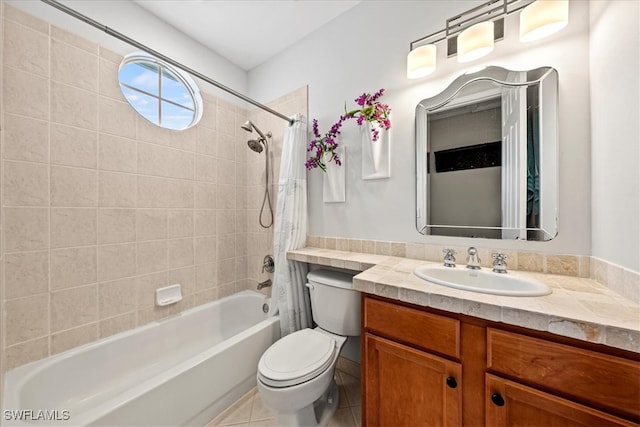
(604, 381)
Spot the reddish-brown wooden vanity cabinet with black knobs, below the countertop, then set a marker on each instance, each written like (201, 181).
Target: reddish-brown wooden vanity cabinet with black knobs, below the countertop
(424, 367)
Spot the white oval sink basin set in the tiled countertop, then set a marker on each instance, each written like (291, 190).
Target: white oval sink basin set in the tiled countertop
(484, 281)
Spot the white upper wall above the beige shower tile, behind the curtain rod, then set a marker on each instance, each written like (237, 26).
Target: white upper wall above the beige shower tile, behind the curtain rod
(133, 21)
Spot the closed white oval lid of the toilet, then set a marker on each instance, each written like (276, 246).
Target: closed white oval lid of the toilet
(296, 358)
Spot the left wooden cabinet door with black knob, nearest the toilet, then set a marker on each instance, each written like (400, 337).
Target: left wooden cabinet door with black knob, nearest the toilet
(408, 387)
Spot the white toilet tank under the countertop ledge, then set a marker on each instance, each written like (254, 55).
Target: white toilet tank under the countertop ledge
(335, 305)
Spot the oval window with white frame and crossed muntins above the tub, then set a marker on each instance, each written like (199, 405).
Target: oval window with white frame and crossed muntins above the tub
(163, 95)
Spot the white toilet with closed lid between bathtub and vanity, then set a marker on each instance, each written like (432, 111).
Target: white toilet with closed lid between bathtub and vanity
(295, 374)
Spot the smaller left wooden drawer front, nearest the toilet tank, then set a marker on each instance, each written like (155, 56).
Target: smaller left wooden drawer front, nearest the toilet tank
(425, 330)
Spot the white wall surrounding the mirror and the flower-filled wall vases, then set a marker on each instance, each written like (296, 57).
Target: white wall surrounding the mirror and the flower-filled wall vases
(365, 49)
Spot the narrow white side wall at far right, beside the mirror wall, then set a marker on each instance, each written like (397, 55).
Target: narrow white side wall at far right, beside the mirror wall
(615, 127)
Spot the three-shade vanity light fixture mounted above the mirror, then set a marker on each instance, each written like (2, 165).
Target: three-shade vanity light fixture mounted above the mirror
(472, 34)
